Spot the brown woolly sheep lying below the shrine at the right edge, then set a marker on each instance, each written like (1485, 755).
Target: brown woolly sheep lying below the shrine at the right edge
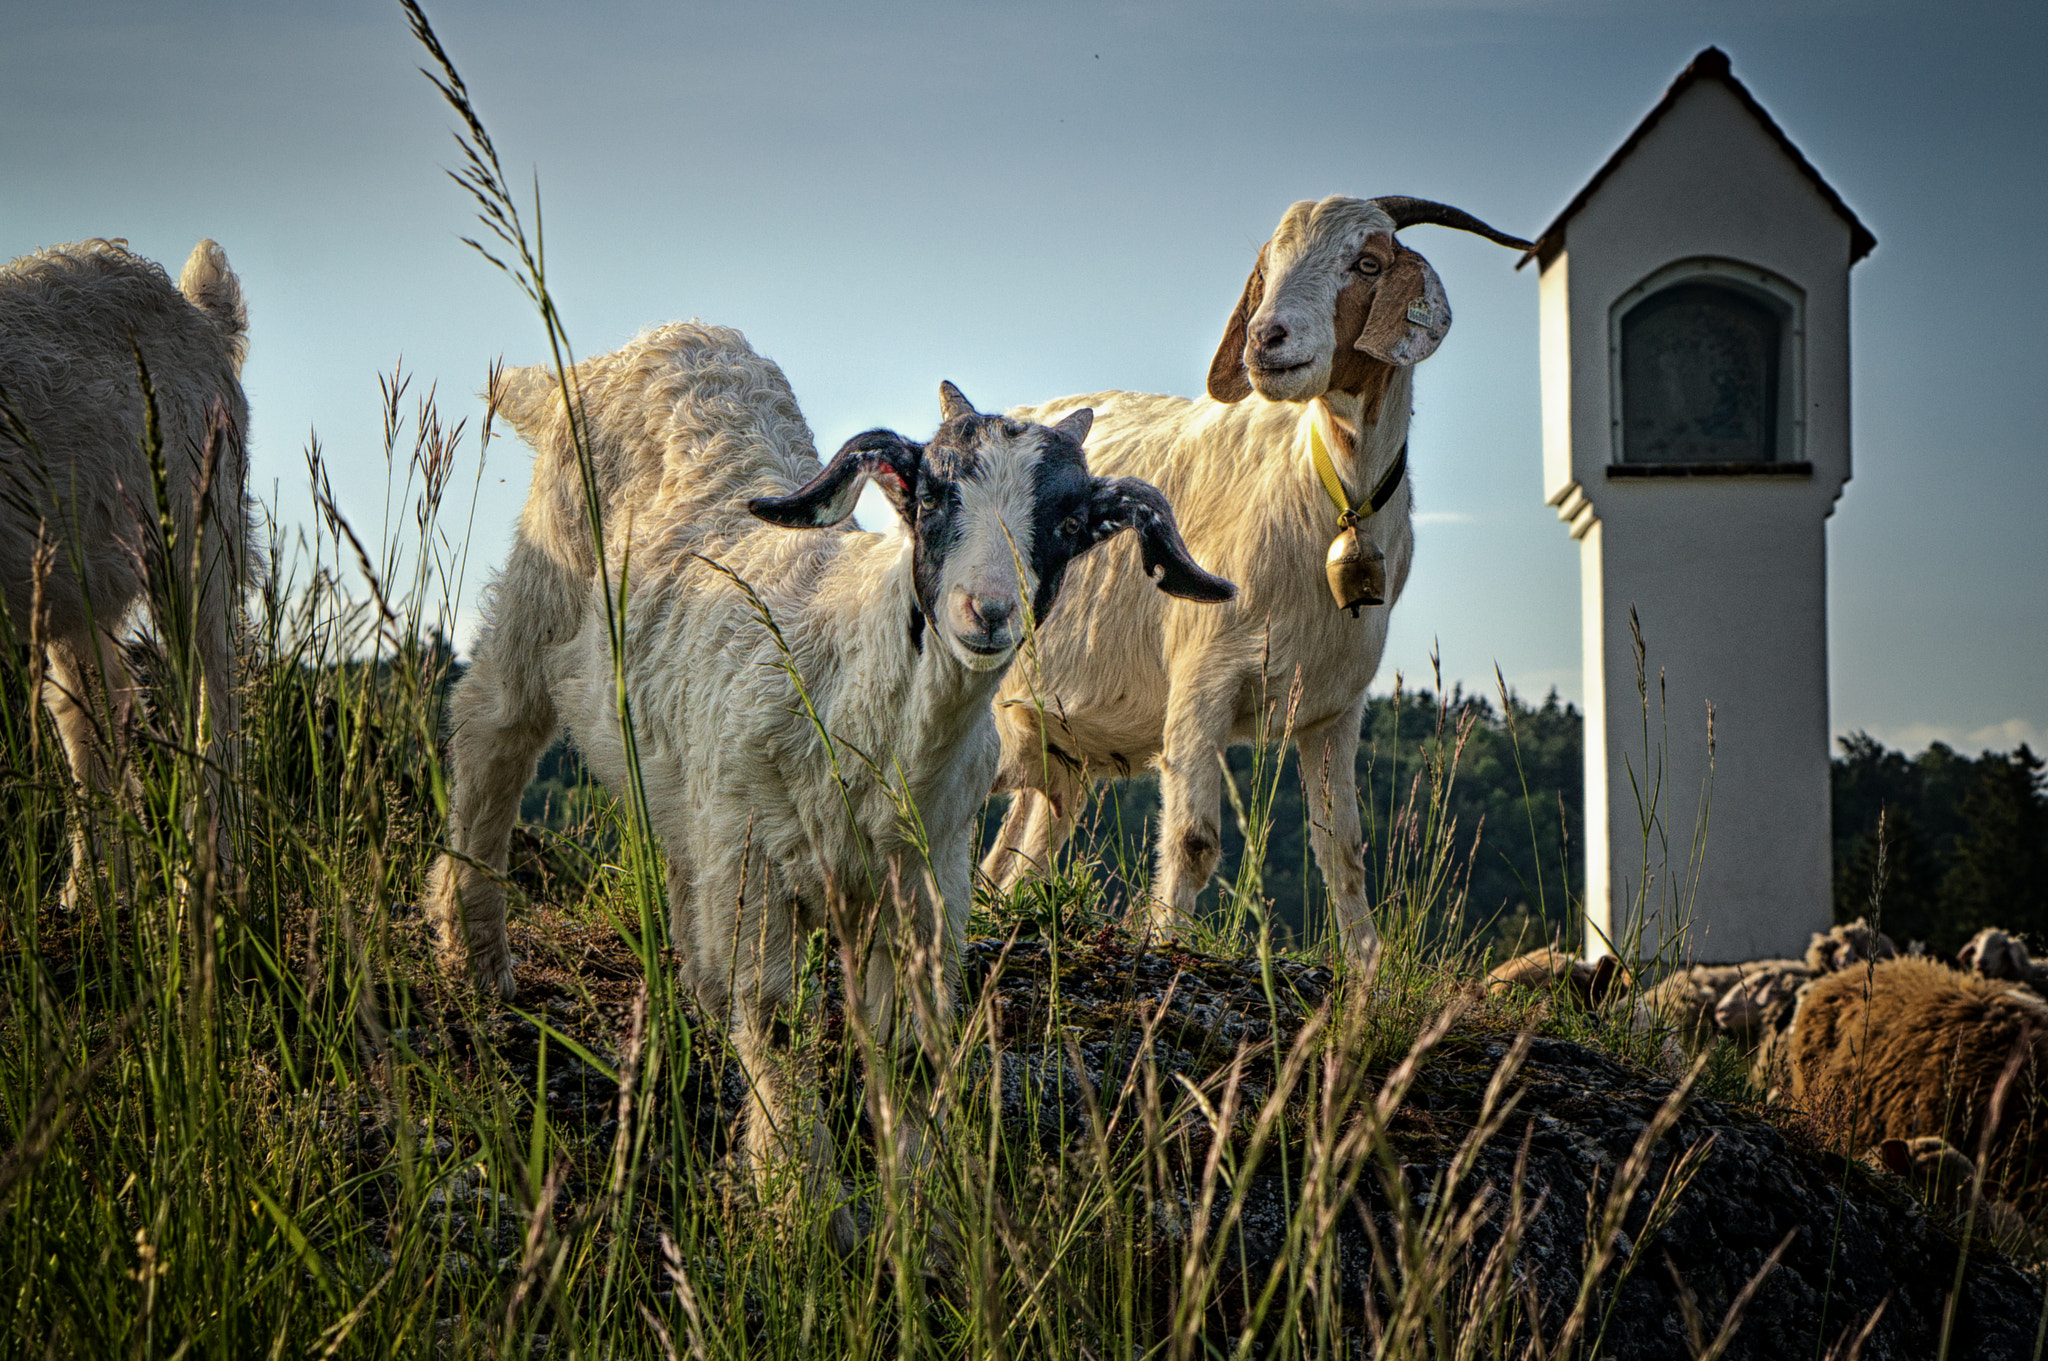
(1914, 1049)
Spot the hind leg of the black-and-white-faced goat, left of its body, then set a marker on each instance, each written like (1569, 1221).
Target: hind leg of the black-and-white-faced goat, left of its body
(501, 719)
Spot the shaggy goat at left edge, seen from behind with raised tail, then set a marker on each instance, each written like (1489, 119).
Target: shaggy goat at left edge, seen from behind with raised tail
(77, 502)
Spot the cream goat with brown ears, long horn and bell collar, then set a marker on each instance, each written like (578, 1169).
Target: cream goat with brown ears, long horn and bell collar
(1322, 347)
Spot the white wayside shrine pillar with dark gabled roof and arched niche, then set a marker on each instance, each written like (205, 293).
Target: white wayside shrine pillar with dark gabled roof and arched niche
(1695, 331)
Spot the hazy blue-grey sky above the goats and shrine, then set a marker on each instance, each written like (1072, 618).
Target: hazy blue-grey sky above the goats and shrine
(1039, 200)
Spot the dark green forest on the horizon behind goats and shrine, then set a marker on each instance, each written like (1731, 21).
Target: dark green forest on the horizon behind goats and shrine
(1965, 838)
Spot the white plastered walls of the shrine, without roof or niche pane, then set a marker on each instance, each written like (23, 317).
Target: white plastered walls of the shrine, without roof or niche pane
(1727, 576)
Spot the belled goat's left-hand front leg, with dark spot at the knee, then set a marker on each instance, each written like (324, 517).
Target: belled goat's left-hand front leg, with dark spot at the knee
(1199, 715)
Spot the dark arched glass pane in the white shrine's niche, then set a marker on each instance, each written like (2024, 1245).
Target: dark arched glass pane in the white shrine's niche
(1701, 378)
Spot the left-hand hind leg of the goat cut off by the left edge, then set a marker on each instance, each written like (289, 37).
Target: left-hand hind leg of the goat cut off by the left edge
(87, 685)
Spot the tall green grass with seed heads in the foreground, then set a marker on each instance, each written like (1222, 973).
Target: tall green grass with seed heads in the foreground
(245, 1116)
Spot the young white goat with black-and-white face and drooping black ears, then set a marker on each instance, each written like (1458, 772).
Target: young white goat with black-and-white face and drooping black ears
(900, 642)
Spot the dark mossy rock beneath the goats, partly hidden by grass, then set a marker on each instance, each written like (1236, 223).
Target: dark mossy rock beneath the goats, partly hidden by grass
(1078, 1020)
